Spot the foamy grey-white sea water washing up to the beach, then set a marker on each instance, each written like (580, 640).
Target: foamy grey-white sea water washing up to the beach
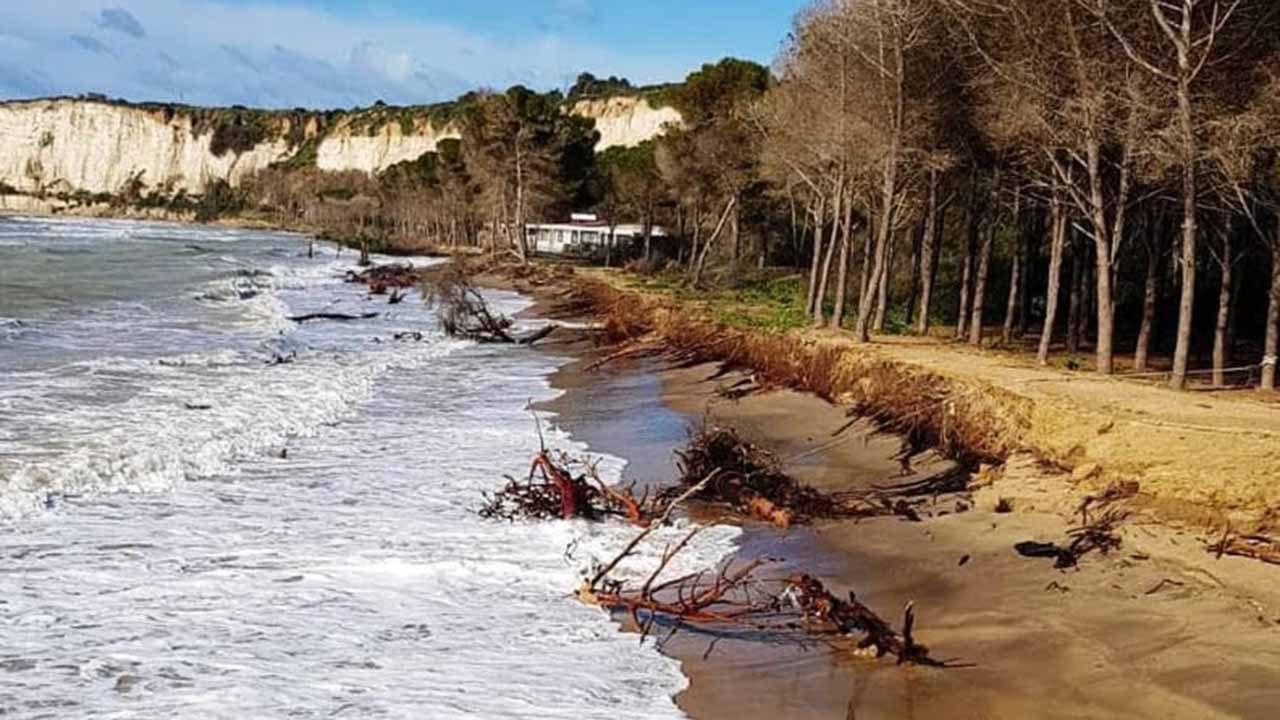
(190, 531)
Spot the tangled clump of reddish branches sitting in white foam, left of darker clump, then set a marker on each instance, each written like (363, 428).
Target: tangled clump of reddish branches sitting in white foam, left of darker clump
(552, 491)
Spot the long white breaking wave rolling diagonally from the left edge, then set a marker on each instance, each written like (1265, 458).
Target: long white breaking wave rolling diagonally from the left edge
(196, 425)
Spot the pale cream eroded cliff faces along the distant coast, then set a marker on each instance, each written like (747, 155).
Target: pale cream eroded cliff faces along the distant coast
(67, 147)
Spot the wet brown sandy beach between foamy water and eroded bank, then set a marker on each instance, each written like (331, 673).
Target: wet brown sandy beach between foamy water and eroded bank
(1159, 628)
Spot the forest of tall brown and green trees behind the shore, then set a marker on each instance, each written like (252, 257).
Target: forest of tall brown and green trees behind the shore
(1081, 177)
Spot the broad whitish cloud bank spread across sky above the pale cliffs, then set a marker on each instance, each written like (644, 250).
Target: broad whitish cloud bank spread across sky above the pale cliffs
(272, 53)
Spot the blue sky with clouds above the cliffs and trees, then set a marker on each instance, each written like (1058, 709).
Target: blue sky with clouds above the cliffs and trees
(351, 53)
